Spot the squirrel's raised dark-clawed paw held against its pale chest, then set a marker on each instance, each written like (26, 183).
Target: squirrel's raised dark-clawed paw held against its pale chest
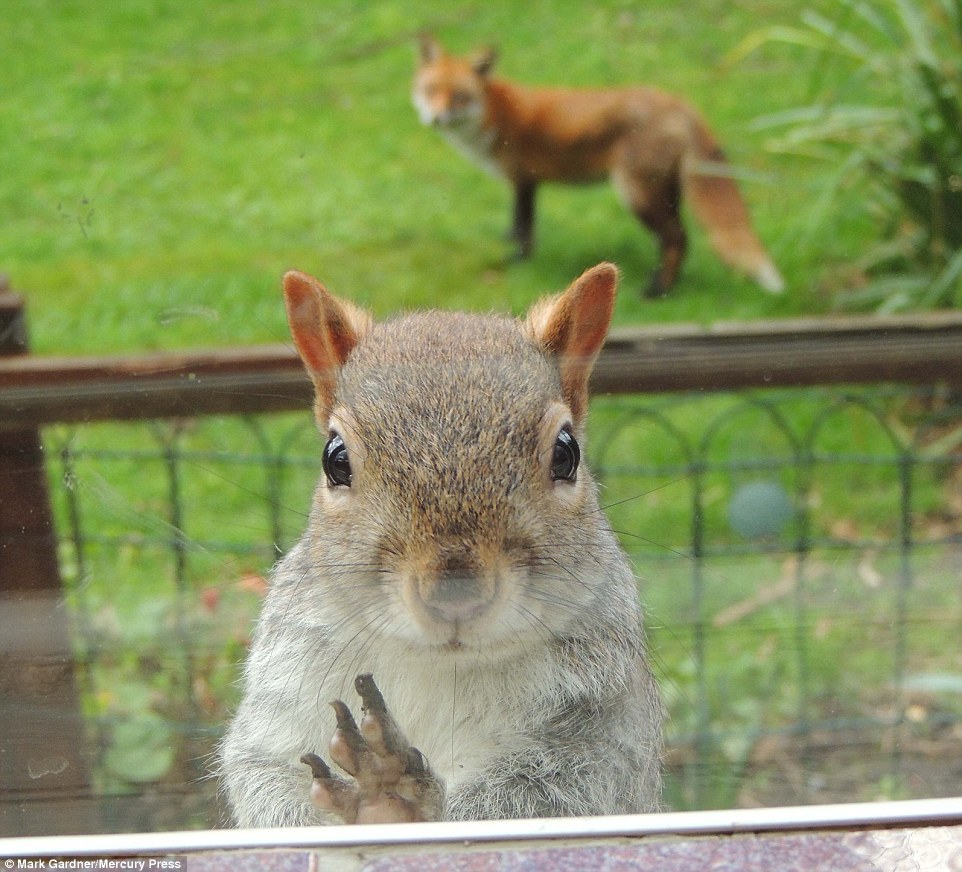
(392, 781)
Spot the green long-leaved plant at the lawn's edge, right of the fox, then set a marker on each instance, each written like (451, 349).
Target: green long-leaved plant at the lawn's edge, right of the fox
(904, 146)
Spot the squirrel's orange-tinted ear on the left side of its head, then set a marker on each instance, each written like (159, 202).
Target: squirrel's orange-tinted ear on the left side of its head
(325, 331)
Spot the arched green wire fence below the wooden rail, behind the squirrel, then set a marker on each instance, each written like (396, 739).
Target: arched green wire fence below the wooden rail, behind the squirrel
(799, 553)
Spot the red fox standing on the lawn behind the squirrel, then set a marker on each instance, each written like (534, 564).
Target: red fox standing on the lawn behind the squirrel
(650, 144)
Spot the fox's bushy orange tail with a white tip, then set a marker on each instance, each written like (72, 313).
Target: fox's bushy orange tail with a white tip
(718, 205)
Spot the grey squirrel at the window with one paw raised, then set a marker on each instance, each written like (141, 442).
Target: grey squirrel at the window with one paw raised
(458, 573)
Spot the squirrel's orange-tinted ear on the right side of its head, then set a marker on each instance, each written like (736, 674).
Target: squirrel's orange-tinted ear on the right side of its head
(571, 327)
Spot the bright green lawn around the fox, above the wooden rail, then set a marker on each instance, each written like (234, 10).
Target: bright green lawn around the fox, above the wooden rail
(163, 164)
